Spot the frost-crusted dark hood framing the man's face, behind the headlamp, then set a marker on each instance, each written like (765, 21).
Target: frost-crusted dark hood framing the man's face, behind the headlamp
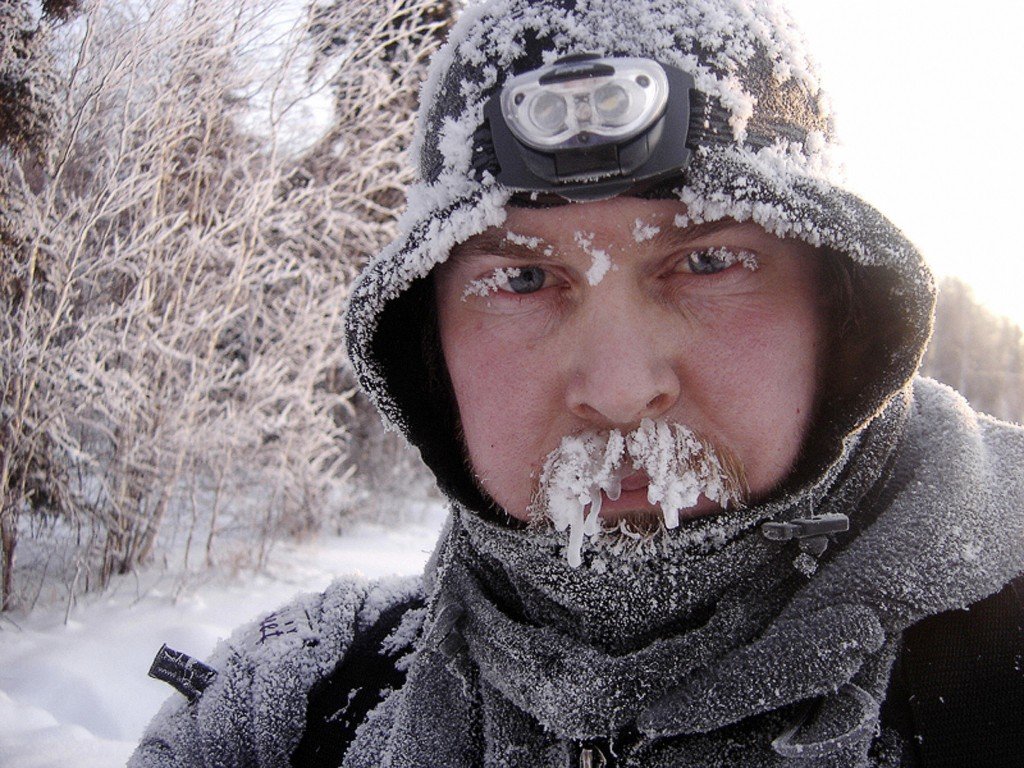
(764, 155)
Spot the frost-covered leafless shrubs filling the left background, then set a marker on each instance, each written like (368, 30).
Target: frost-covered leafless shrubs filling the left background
(175, 274)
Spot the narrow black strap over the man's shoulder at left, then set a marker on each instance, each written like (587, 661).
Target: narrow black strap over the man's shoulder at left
(338, 704)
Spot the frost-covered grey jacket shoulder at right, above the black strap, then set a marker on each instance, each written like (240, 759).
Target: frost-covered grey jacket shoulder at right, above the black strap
(953, 535)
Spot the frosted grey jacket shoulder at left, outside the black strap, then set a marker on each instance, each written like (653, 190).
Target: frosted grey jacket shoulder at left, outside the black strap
(254, 711)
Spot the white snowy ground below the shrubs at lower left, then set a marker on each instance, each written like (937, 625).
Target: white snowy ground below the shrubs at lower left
(76, 694)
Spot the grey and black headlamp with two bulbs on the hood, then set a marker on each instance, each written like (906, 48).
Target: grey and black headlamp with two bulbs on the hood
(589, 127)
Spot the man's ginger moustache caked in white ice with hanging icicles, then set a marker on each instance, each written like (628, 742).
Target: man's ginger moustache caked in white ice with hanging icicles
(679, 465)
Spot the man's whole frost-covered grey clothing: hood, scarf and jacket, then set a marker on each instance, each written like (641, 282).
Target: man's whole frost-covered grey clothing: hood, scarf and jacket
(705, 647)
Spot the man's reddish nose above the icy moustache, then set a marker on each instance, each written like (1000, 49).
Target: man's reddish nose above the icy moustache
(622, 369)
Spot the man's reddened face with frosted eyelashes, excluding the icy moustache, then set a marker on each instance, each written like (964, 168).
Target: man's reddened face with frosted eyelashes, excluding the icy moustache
(593, 317)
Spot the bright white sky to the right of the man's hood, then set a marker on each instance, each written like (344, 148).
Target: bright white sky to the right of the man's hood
(928, 98)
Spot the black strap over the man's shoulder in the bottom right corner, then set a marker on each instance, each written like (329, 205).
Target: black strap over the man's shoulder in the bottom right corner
(958, 690)
